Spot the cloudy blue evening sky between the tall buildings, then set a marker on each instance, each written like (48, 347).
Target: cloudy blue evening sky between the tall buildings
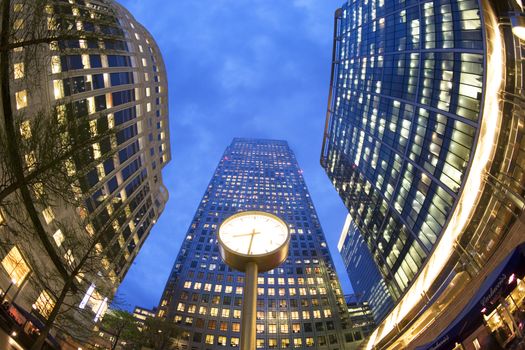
(258, 68)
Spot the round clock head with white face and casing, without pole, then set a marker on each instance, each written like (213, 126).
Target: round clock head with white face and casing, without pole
(254, 236)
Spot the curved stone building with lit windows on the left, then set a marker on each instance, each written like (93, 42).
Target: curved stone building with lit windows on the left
(96, 78)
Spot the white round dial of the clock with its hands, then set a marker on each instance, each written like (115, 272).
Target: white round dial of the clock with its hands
(253, 233)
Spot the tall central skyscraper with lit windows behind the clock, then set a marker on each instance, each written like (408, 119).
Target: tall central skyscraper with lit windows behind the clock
(300, 304)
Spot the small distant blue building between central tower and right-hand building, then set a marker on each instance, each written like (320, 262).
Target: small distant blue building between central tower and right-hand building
(367, 282)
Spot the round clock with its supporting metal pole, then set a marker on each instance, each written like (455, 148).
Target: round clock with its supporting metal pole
(252, 242)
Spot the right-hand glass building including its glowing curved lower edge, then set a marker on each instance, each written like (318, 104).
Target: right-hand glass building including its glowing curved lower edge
(423, 143)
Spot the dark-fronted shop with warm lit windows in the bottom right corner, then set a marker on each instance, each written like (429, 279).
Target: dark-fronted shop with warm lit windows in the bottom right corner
(495, 317)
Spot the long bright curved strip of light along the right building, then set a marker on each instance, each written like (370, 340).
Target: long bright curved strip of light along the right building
(473, 188)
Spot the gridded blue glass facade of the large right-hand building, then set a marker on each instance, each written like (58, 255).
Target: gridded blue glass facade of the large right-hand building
(403, 122)
